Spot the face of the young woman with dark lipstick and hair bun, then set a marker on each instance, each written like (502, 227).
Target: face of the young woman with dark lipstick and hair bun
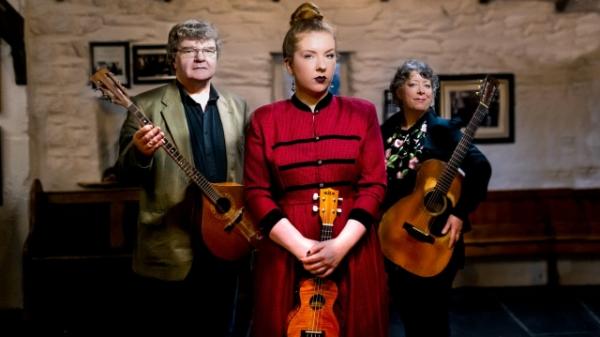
(313, 64)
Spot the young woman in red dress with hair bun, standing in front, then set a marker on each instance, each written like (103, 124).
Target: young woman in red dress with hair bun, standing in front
(294, 148)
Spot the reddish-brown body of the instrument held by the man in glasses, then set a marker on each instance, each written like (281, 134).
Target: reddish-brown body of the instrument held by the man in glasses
(226, 229)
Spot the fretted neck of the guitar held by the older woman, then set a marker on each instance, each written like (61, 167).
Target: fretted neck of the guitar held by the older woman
(451, 169)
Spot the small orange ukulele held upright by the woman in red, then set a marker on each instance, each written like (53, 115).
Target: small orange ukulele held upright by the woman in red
(315, 317)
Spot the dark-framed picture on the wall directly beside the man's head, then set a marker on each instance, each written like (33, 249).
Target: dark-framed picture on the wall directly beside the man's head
(150, 64)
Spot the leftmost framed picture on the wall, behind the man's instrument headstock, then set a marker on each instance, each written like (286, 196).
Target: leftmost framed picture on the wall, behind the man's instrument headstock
(114, 56)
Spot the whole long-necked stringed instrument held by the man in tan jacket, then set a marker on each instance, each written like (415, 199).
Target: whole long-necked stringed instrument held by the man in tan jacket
(226, 229)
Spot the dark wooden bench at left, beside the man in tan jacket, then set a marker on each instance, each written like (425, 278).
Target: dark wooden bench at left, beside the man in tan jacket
(77, 257)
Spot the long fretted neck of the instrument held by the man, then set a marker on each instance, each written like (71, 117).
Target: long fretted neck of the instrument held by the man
(185, 165)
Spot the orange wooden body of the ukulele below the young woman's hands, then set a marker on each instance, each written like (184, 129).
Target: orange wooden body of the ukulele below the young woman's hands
(315, 316)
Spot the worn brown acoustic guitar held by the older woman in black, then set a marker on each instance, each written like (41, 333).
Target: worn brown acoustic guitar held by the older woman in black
(410, 230)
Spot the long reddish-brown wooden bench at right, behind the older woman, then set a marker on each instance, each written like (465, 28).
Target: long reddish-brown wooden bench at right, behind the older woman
(545, 223)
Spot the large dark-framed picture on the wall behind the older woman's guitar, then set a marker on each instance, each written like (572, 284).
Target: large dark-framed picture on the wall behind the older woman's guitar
(457, 98)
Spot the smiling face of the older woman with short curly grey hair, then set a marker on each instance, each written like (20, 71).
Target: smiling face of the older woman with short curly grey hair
(416, 94)
